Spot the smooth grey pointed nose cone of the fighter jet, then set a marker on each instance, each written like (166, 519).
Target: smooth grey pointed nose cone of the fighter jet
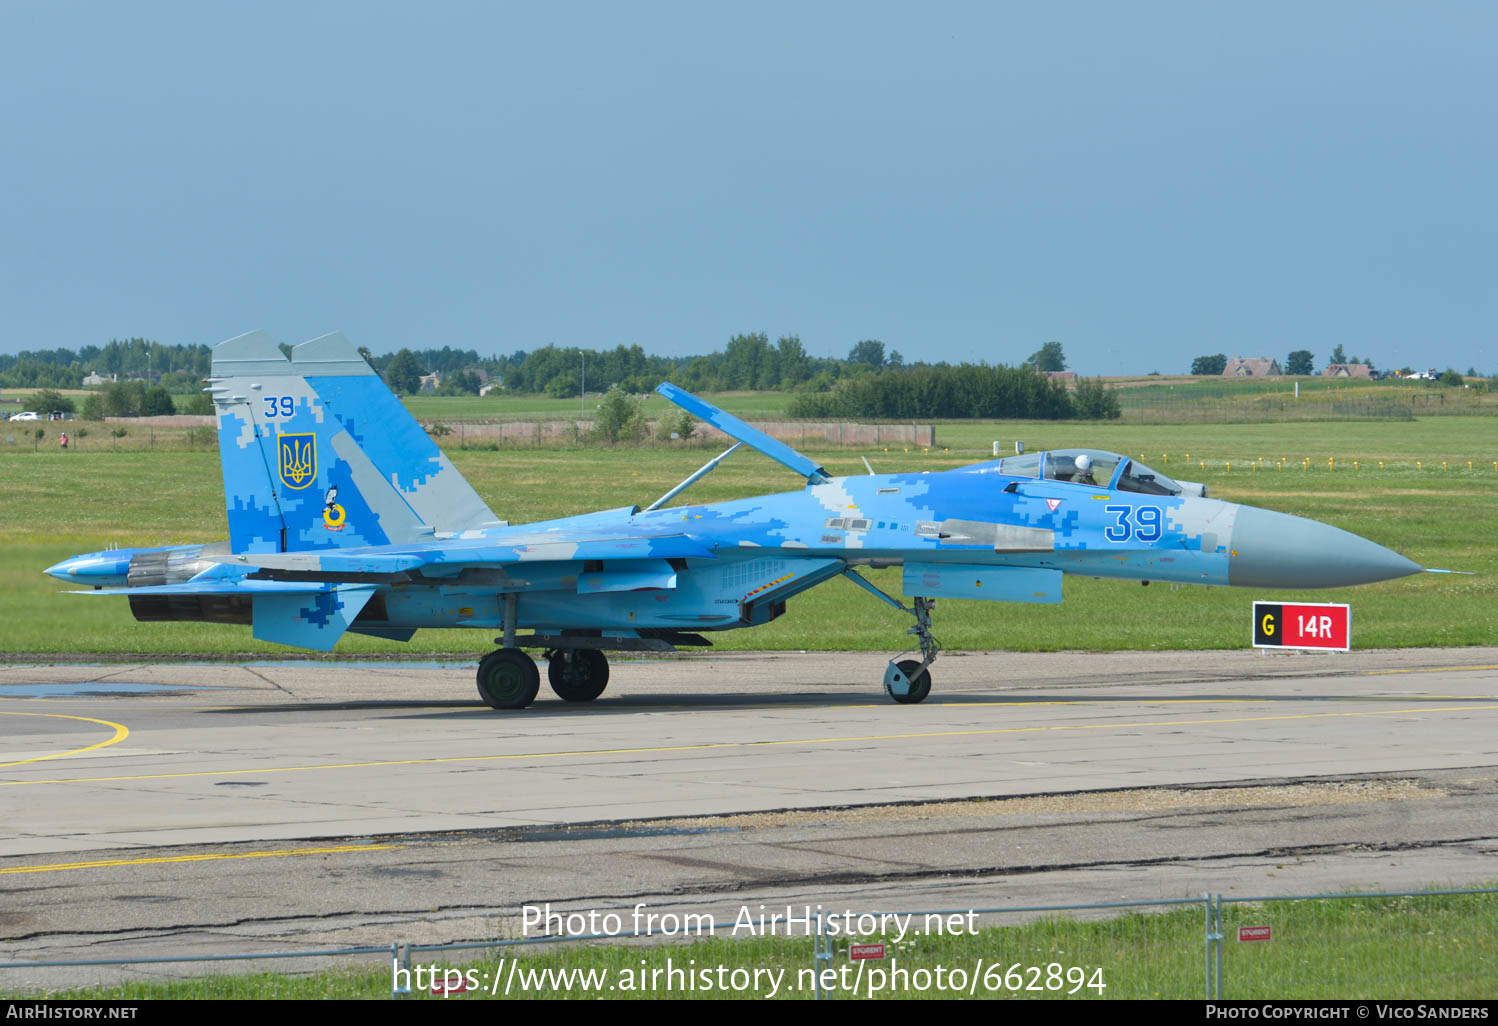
(1283, 552)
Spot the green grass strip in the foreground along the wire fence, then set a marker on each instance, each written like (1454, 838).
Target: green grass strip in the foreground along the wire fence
(1427, 947)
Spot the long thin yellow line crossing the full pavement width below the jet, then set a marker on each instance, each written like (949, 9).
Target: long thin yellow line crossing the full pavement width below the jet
(747, 745)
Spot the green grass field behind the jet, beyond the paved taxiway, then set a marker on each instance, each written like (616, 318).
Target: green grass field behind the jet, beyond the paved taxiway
(1401, 485)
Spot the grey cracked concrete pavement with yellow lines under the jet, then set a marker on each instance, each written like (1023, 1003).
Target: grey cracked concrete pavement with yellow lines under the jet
(215, 808)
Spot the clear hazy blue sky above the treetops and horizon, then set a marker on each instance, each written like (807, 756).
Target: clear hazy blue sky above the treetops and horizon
(1142, 182)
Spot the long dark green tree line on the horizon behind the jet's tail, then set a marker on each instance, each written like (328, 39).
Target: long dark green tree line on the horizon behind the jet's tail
(873, 381)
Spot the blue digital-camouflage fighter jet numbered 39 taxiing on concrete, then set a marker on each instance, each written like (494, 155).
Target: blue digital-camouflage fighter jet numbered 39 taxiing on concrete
(345, 516)
